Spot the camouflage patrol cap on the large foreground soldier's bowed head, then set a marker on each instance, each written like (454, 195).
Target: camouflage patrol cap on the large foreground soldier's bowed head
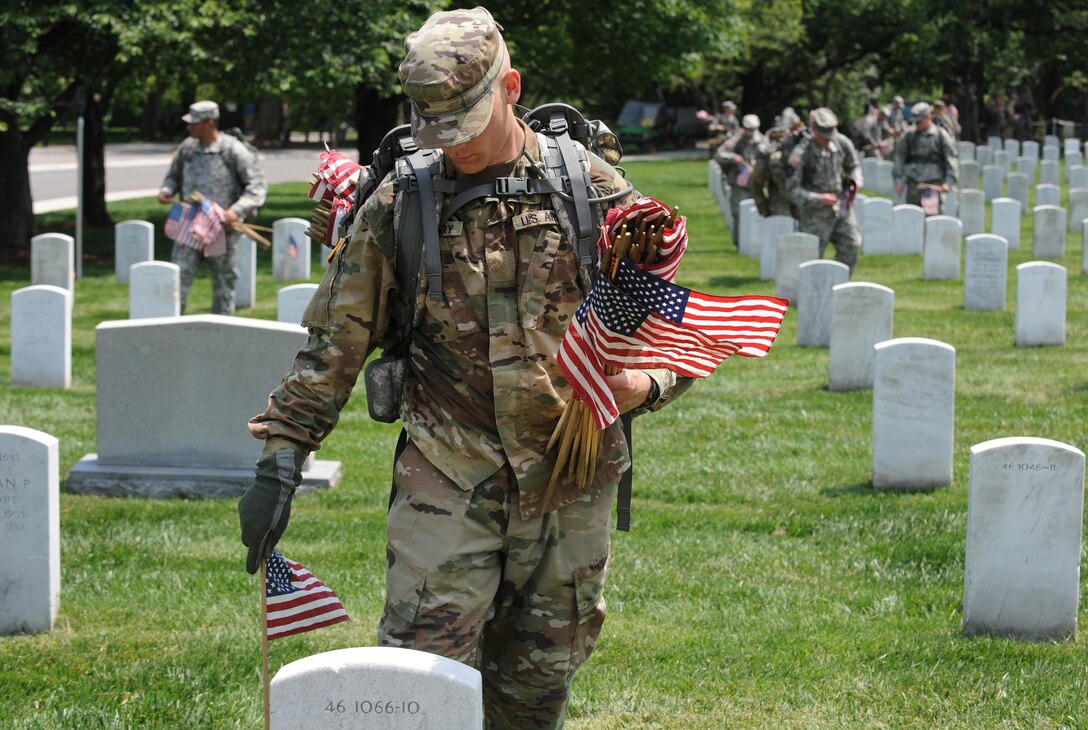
(449, 73)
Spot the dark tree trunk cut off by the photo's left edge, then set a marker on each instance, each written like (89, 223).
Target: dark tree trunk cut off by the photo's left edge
(17, 208)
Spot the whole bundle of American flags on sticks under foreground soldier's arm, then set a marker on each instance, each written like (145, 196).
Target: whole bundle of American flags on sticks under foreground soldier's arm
(636, 317)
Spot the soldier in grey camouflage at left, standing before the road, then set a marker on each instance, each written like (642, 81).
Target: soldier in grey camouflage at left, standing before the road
(224, 169)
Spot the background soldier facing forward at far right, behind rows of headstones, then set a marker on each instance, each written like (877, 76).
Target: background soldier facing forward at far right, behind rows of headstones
(925, 159)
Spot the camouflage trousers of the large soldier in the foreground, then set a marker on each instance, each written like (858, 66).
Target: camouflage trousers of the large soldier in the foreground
(469, 579)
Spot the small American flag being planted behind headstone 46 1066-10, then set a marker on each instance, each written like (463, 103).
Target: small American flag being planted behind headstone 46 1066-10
(298, 601)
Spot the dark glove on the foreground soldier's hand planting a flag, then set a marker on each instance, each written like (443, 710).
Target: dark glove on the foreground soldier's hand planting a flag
(265, 509)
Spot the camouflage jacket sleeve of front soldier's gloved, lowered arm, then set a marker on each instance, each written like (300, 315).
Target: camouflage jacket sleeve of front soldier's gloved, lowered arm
(348, 316)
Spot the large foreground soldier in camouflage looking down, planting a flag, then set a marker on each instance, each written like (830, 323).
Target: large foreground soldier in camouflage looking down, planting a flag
(486, 564)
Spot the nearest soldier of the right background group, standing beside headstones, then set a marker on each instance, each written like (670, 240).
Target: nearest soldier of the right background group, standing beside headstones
(823, 165)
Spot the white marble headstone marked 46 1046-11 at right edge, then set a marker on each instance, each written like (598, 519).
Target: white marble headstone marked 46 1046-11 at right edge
(1025, 511)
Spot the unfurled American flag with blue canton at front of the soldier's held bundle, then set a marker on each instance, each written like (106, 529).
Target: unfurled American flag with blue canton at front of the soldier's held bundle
(642, 321)
